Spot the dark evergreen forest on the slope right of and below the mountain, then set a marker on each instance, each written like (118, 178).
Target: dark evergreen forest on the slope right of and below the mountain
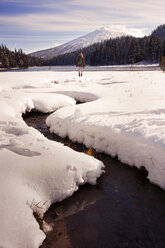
(117, 51)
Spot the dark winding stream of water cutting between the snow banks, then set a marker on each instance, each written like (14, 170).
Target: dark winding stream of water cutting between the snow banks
(124, 210)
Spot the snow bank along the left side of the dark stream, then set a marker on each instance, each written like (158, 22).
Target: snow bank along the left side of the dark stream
(35, 172)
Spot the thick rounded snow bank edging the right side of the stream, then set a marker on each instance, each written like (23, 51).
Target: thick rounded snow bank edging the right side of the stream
(118, 135)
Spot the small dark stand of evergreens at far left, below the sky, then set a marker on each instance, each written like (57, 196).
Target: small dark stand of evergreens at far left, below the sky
(17, 59)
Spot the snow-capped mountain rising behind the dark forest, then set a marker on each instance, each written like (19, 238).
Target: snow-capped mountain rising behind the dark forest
(93, 37)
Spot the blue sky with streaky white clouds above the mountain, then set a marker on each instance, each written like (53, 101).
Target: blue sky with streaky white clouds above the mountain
(40, 24)
